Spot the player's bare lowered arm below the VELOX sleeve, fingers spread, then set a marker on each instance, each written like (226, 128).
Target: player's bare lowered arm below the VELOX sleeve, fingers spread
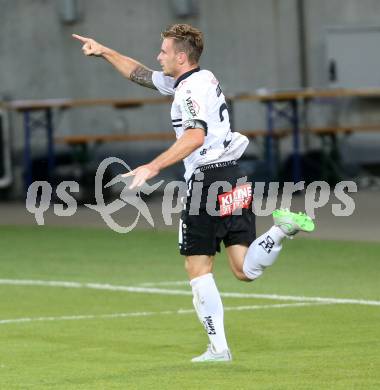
(191, 140)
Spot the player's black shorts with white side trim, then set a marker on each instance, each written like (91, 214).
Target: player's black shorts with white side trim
(202, 234)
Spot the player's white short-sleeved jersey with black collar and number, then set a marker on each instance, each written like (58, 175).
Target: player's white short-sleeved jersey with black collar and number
(199, 98)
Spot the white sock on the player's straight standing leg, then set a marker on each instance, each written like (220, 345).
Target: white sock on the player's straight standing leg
(209, 307)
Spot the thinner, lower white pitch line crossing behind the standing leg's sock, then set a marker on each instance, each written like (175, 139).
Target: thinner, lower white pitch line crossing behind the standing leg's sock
(146, 313)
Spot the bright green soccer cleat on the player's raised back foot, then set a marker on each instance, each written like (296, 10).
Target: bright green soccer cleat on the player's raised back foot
(291, 223)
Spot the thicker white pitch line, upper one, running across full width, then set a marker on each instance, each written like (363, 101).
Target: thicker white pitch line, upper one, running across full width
(162, 291)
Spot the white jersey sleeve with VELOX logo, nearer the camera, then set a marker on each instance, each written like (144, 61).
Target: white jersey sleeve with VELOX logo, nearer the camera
(193, 105)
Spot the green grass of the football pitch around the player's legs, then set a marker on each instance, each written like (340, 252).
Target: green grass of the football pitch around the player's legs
(312, 347)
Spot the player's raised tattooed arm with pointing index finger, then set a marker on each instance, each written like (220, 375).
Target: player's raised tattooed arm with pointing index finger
(127, 66)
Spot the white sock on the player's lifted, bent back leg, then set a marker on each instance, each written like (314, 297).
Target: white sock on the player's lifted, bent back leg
(263, 252)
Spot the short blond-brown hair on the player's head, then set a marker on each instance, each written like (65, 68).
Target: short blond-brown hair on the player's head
(187, 39)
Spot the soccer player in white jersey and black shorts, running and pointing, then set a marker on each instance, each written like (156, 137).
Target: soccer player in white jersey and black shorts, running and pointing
(210, 151)
